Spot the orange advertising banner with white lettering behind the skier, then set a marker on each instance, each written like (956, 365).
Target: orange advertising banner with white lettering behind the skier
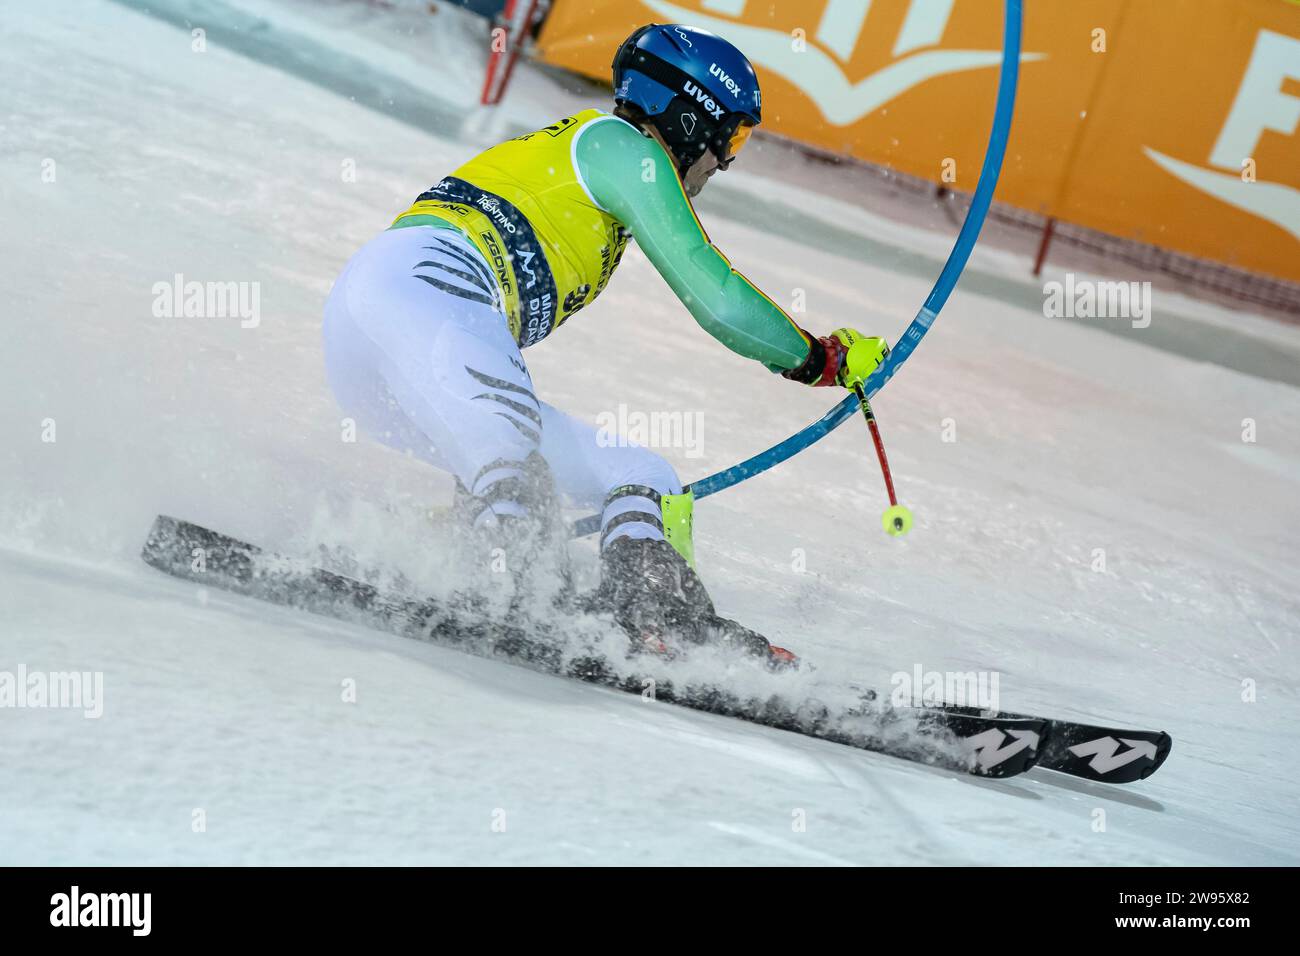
(1175, 123)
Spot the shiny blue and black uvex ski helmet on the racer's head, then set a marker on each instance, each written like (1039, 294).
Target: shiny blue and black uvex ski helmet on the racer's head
(695, 88)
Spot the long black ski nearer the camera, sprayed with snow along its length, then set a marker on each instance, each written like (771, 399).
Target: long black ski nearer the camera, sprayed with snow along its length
(970, 743)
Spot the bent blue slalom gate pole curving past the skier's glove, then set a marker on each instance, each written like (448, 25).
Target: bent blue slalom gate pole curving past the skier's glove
(944, 287)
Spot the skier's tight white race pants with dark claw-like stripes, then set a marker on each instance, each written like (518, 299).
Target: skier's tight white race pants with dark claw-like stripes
(418, 352)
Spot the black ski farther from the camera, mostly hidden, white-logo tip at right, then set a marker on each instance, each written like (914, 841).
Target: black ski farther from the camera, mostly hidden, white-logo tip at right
(1097, 754)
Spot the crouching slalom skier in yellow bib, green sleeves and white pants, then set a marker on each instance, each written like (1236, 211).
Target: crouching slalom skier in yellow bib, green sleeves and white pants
(426, 326)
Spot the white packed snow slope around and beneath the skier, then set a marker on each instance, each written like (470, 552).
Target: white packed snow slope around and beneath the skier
(1090, 525)
